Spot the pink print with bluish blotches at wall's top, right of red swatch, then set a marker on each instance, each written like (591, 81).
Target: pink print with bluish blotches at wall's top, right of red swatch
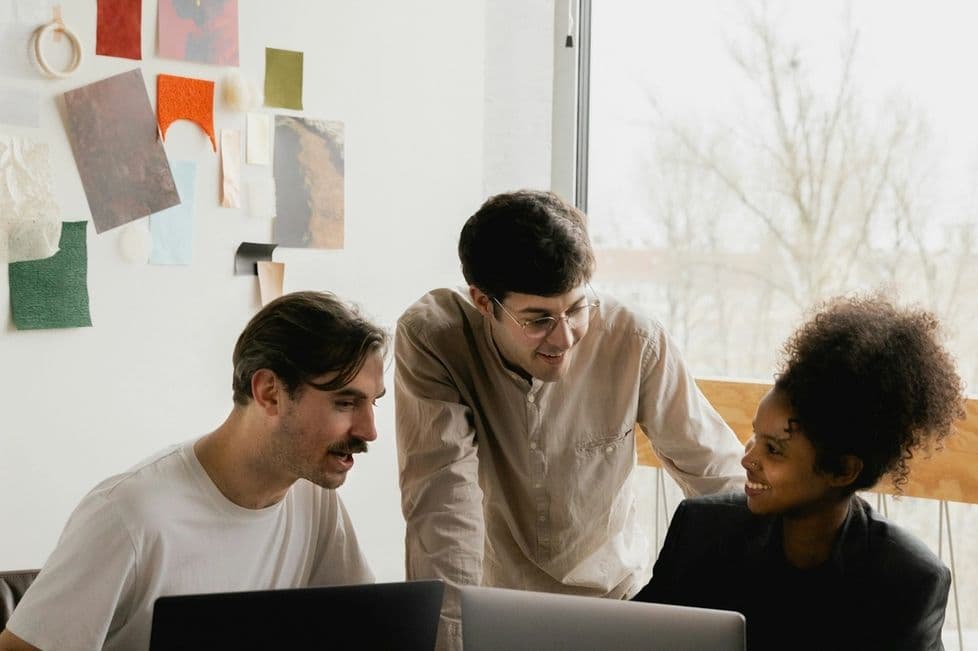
(205, 31)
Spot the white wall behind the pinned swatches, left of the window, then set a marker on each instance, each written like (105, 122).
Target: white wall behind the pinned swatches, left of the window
(439, 110)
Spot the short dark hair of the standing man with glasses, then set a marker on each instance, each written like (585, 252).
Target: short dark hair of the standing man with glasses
(530, 242)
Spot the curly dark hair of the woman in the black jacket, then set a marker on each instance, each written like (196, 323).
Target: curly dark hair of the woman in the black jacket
(867, 378)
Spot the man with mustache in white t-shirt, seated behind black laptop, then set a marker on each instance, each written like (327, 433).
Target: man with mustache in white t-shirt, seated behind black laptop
(250, 506)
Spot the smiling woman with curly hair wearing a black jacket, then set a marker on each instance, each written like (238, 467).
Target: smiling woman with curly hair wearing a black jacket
(864, 386)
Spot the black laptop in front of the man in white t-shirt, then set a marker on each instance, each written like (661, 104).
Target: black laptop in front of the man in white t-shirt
(400, 615)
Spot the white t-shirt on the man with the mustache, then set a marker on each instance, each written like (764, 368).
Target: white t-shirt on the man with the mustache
(164, 528)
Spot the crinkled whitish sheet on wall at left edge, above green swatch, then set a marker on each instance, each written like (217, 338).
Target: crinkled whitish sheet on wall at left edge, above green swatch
(30, 226)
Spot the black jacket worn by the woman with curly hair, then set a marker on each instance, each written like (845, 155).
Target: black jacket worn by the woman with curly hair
(881, 588)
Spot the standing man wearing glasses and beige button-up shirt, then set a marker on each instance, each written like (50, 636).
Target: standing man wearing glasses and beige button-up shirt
(516, 407)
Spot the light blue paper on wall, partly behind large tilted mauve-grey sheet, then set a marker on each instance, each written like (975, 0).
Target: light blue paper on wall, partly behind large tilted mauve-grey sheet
(171, 230)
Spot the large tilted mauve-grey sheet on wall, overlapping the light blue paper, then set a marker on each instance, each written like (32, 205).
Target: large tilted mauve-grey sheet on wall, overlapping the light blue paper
(119, 156)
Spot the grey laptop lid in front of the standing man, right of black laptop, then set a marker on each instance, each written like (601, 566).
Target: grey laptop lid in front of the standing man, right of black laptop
(499, 618)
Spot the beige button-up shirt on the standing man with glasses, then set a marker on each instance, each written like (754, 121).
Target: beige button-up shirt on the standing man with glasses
(528, 485)
